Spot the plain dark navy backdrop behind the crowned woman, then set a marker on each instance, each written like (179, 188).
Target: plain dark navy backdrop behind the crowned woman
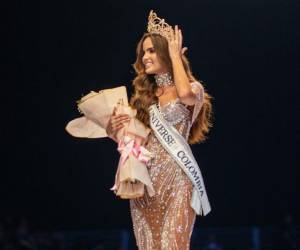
(245, 52)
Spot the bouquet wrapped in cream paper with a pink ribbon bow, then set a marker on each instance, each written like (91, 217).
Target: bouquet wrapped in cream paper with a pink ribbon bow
(97, 107)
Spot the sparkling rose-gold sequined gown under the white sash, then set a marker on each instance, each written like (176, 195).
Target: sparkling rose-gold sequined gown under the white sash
(166, 221)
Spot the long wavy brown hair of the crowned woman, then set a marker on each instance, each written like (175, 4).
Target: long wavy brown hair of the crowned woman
(145, 89)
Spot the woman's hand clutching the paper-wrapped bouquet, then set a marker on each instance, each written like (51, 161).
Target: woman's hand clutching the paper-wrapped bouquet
(115, 123)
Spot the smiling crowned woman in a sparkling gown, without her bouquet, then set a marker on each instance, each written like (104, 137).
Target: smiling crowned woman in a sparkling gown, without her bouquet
(164, 82)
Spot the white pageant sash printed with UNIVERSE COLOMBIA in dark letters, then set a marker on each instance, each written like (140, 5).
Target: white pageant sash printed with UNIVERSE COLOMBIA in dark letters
(180, 151)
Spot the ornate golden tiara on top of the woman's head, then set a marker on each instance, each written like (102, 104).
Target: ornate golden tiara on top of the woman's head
(157, 25)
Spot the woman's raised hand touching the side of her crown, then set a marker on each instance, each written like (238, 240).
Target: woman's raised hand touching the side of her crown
(175, 44)
